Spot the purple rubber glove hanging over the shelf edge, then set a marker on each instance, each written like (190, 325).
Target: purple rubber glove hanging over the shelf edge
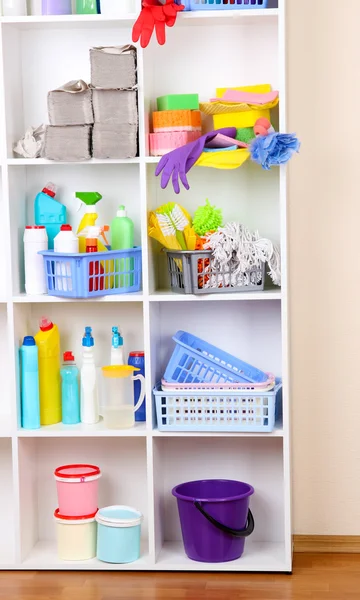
(177, 164)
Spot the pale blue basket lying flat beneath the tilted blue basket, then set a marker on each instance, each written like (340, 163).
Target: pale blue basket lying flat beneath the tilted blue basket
(236, 410)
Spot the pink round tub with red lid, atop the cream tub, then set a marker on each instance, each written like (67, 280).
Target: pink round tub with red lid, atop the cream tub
(77, 489)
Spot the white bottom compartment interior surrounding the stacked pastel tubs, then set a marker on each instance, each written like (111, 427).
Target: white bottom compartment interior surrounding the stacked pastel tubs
(124, 481)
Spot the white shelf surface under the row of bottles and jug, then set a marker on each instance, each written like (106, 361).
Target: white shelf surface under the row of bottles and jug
(81, 430)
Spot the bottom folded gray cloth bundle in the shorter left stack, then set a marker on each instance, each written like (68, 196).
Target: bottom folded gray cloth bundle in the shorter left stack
(68, 143)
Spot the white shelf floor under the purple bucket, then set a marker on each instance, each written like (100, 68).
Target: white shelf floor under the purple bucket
(258, 556)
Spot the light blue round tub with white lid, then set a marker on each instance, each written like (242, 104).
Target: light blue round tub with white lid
(119, 532)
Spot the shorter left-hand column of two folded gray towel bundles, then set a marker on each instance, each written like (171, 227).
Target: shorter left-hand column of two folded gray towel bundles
(68, 137)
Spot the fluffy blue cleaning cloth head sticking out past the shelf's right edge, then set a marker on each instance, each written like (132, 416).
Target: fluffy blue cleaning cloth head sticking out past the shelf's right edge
(274, 149)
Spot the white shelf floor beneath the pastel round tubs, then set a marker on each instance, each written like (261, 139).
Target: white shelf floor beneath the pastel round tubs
(44, 556)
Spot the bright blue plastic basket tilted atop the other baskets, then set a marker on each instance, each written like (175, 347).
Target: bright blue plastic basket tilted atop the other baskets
(196, 361)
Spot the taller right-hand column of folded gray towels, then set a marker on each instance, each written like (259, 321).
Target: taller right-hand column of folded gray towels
(113, 82)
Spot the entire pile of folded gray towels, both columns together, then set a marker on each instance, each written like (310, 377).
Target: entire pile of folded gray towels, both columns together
(110, 102)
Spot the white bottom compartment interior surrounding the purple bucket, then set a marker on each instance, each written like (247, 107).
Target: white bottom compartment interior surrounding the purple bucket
(257, 461)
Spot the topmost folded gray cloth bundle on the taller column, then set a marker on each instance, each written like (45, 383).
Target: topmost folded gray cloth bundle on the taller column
(113, 67)
